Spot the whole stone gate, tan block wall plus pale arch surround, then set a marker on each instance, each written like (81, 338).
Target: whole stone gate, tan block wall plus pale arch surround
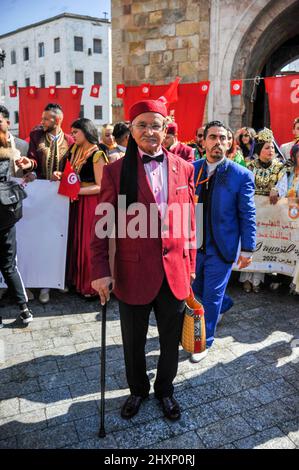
(156, 40)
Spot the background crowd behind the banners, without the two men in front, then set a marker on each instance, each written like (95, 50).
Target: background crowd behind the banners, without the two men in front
(275, 169)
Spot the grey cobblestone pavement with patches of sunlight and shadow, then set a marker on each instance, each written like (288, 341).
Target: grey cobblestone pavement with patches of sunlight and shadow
(243, 395)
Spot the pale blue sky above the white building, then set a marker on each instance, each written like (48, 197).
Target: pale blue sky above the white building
(18, 13)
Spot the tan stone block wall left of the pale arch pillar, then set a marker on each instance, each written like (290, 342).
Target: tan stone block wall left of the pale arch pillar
(155, 41)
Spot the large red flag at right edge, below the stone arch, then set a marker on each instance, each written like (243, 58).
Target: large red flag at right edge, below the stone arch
(283, 94)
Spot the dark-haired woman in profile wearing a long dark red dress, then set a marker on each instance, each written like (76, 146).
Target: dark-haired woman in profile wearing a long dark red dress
(87, 160)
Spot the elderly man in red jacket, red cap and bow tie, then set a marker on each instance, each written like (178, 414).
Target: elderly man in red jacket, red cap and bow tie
(151, 270)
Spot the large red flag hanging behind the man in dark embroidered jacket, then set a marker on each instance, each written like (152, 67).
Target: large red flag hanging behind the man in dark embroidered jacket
(31, 107)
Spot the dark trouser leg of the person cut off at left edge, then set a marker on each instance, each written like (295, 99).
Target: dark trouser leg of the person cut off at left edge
(8, 265)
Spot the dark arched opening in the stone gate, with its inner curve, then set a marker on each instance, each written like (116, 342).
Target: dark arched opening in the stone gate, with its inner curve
(263, 51)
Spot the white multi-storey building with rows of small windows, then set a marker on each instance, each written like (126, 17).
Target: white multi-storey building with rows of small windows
(64, 50)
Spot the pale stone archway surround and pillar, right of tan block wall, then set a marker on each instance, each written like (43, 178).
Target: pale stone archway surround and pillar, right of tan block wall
(241, 42)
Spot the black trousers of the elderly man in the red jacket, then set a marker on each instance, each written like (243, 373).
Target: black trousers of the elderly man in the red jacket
(169, 313)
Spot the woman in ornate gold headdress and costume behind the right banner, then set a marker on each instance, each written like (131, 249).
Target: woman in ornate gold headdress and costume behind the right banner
(268, 171)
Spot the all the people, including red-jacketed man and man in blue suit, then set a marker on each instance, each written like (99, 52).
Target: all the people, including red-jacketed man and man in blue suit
(256, 164)
